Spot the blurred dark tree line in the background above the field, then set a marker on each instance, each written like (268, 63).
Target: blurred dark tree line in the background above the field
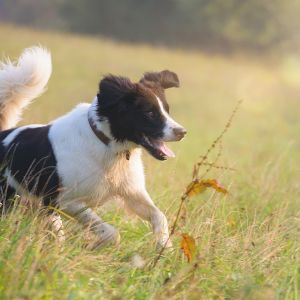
(214, 25)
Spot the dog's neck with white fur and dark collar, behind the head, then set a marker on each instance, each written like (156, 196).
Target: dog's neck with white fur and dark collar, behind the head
(101, 125)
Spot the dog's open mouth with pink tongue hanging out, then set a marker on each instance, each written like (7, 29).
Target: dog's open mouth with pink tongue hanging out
(157, 148)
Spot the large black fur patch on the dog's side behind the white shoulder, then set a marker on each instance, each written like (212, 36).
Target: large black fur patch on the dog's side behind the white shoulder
(31, 161)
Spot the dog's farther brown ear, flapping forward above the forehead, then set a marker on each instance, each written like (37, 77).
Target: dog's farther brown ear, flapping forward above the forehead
(166, 79)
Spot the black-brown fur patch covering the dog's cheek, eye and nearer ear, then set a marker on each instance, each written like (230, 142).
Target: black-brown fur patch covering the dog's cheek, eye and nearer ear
(132, 111)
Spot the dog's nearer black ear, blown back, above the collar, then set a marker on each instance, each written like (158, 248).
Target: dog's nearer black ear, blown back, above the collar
(113, 88)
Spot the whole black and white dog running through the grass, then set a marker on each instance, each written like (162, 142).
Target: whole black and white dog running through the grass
(91, 154)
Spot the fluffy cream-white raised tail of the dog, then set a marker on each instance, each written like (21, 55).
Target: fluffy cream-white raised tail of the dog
(21, 82)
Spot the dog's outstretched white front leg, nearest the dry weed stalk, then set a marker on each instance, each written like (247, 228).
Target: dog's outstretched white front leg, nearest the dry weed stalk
(141, 204)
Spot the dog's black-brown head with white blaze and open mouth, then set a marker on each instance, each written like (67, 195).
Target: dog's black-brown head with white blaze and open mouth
(139, 112)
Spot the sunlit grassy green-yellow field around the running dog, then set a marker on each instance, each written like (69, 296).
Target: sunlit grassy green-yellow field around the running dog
(248, 242)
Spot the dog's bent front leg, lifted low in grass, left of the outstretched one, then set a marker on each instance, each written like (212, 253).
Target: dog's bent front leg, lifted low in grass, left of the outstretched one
(105, 232)
